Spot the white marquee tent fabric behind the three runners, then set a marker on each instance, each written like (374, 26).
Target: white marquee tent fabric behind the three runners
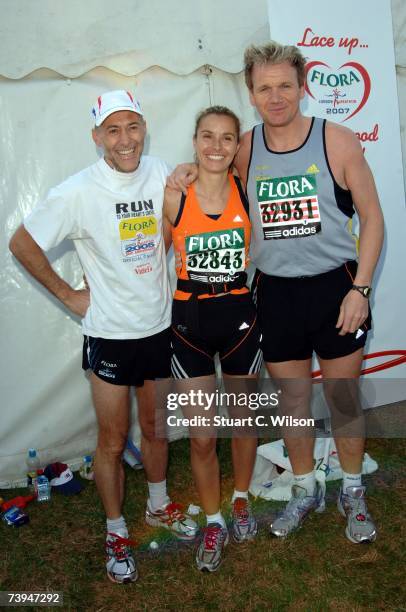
(56, 58)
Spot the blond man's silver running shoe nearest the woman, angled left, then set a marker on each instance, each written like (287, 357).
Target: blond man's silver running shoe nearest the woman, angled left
(297, 509)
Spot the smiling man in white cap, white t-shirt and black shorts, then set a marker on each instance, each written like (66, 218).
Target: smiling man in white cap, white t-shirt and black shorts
(113, 212)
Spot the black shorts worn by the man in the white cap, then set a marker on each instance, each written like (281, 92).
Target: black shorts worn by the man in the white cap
(129, 362)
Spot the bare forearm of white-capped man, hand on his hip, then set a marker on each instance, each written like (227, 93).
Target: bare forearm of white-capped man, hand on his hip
(34, 260)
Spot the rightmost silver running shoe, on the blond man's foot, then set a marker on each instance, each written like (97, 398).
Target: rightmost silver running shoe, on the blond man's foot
(360, 526)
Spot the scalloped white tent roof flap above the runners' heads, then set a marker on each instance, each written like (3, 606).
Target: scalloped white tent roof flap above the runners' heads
(127, 36)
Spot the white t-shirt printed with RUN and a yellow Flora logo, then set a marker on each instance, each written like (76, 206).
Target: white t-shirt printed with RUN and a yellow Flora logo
(115, 221)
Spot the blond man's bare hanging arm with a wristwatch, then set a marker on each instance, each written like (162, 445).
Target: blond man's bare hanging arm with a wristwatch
(357, 177)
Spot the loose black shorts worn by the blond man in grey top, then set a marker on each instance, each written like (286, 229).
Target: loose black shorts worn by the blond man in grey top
(299, 315)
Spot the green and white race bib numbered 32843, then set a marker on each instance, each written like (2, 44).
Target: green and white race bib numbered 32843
(213, 253)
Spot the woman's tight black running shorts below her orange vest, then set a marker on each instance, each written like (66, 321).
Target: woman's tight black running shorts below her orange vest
(226, 325)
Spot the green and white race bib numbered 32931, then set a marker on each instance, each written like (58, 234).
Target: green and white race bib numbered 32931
(289, 207)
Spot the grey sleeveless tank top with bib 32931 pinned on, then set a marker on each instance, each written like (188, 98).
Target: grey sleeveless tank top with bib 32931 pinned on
(301, 218)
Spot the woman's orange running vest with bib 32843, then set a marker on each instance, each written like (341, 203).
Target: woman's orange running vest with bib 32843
(212, 251)
